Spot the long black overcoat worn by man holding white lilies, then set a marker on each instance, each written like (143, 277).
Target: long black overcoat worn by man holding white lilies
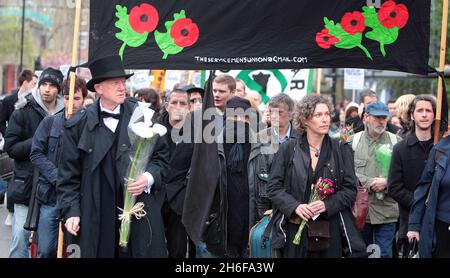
(84, 145)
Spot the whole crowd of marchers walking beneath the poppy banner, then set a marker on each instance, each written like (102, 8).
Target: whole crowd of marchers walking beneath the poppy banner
(296, 164)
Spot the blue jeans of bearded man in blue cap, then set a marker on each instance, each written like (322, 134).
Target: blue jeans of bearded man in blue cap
(382, 235)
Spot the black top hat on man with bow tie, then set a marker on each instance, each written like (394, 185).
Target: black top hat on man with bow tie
(106, 68)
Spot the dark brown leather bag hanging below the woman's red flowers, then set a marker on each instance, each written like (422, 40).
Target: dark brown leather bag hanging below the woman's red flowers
(318, 235)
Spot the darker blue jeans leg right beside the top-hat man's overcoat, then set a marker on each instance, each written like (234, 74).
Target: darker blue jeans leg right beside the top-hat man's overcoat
(47, 231)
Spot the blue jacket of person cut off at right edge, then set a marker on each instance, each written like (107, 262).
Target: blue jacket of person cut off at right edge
(423, 213)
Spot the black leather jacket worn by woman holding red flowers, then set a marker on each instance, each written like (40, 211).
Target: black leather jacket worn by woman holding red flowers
(287, 195)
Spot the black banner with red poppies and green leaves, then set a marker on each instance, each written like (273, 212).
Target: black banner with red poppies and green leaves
(249, 34)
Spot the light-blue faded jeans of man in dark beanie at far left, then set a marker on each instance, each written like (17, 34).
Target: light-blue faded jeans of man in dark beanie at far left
(20, 236)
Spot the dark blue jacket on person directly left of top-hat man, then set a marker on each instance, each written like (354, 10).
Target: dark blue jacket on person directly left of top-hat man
(44, 156)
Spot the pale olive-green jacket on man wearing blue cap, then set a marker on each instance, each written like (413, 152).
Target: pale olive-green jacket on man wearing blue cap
(381, 210)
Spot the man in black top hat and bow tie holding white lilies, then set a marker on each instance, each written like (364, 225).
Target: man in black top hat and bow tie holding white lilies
(95, 156)
